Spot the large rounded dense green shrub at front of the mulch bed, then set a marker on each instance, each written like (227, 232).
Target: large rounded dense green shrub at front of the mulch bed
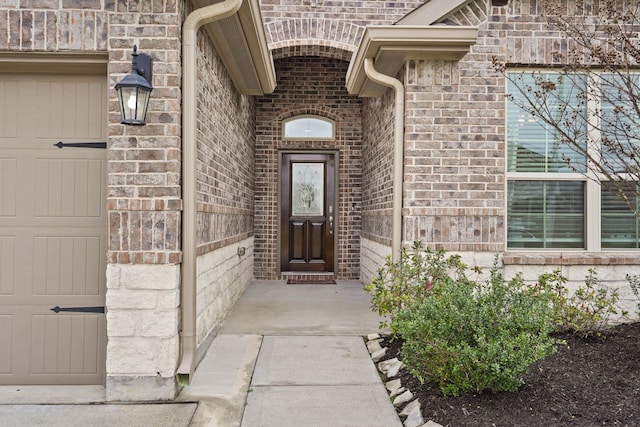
(470, 337)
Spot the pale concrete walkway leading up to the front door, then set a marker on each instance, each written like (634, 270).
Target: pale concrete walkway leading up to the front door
(293, 355)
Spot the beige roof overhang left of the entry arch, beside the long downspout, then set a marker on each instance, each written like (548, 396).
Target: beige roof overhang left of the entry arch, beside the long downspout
(242, 45)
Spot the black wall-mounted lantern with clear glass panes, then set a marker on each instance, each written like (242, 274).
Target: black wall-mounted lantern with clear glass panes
(134, 90)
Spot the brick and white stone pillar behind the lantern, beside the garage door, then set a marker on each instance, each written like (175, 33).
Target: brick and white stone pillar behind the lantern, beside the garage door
(144, 208)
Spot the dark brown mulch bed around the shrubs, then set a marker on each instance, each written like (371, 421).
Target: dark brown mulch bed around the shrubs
(588, 382)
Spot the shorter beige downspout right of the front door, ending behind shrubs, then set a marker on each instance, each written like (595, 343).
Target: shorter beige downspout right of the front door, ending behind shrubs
(398, 152)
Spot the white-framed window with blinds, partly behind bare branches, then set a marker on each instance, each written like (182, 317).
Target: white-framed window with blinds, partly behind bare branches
(551, 203)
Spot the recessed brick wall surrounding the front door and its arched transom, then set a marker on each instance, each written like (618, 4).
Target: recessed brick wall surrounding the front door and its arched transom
(312, 86)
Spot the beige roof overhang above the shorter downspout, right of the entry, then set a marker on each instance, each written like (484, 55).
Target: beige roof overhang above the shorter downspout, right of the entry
(390, 46)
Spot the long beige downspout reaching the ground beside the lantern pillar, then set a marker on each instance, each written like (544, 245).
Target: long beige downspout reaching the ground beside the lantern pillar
(192, 24)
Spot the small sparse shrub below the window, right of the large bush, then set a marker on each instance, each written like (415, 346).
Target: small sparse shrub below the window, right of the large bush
(585, 312)
